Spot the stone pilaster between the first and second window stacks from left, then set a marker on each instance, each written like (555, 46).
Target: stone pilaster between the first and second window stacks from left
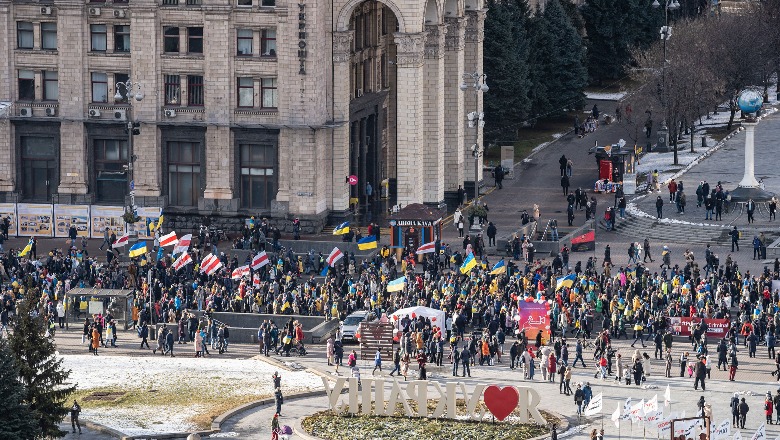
(72, 80)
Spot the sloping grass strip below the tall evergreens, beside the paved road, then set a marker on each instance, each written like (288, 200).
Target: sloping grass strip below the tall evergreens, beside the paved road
(529, 138)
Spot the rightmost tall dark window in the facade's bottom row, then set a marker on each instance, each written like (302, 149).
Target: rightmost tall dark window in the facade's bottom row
(258, 179)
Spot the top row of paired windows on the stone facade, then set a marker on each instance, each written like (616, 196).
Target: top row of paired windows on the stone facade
(174, 38)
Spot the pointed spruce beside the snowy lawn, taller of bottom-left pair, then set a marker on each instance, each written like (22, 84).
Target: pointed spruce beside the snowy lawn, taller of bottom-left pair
(40, 372)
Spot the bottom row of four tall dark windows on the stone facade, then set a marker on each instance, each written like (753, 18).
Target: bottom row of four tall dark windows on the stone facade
(257, 171)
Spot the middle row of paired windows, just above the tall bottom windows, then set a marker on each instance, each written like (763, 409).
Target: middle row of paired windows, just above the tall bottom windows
(101, 82)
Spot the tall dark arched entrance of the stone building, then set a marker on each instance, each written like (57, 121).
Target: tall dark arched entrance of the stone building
(372, 104)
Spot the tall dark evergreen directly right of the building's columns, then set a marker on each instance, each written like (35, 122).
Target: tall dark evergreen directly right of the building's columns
(506, 64)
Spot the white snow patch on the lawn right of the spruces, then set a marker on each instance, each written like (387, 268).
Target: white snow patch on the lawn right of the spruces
(241, 377)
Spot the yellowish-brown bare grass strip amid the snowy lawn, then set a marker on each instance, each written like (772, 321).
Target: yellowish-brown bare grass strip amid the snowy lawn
(213, 401)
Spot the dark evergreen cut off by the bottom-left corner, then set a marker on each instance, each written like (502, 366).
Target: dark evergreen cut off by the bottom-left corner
(17, 420)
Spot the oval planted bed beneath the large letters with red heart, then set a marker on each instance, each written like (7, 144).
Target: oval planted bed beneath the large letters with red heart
(332, 426)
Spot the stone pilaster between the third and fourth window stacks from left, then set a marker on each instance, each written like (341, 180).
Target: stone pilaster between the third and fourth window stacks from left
(219, 79)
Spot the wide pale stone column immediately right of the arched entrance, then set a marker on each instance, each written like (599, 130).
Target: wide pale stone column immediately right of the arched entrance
(409, 89)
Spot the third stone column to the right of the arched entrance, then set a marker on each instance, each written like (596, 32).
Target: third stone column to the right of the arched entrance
(453, 107)
